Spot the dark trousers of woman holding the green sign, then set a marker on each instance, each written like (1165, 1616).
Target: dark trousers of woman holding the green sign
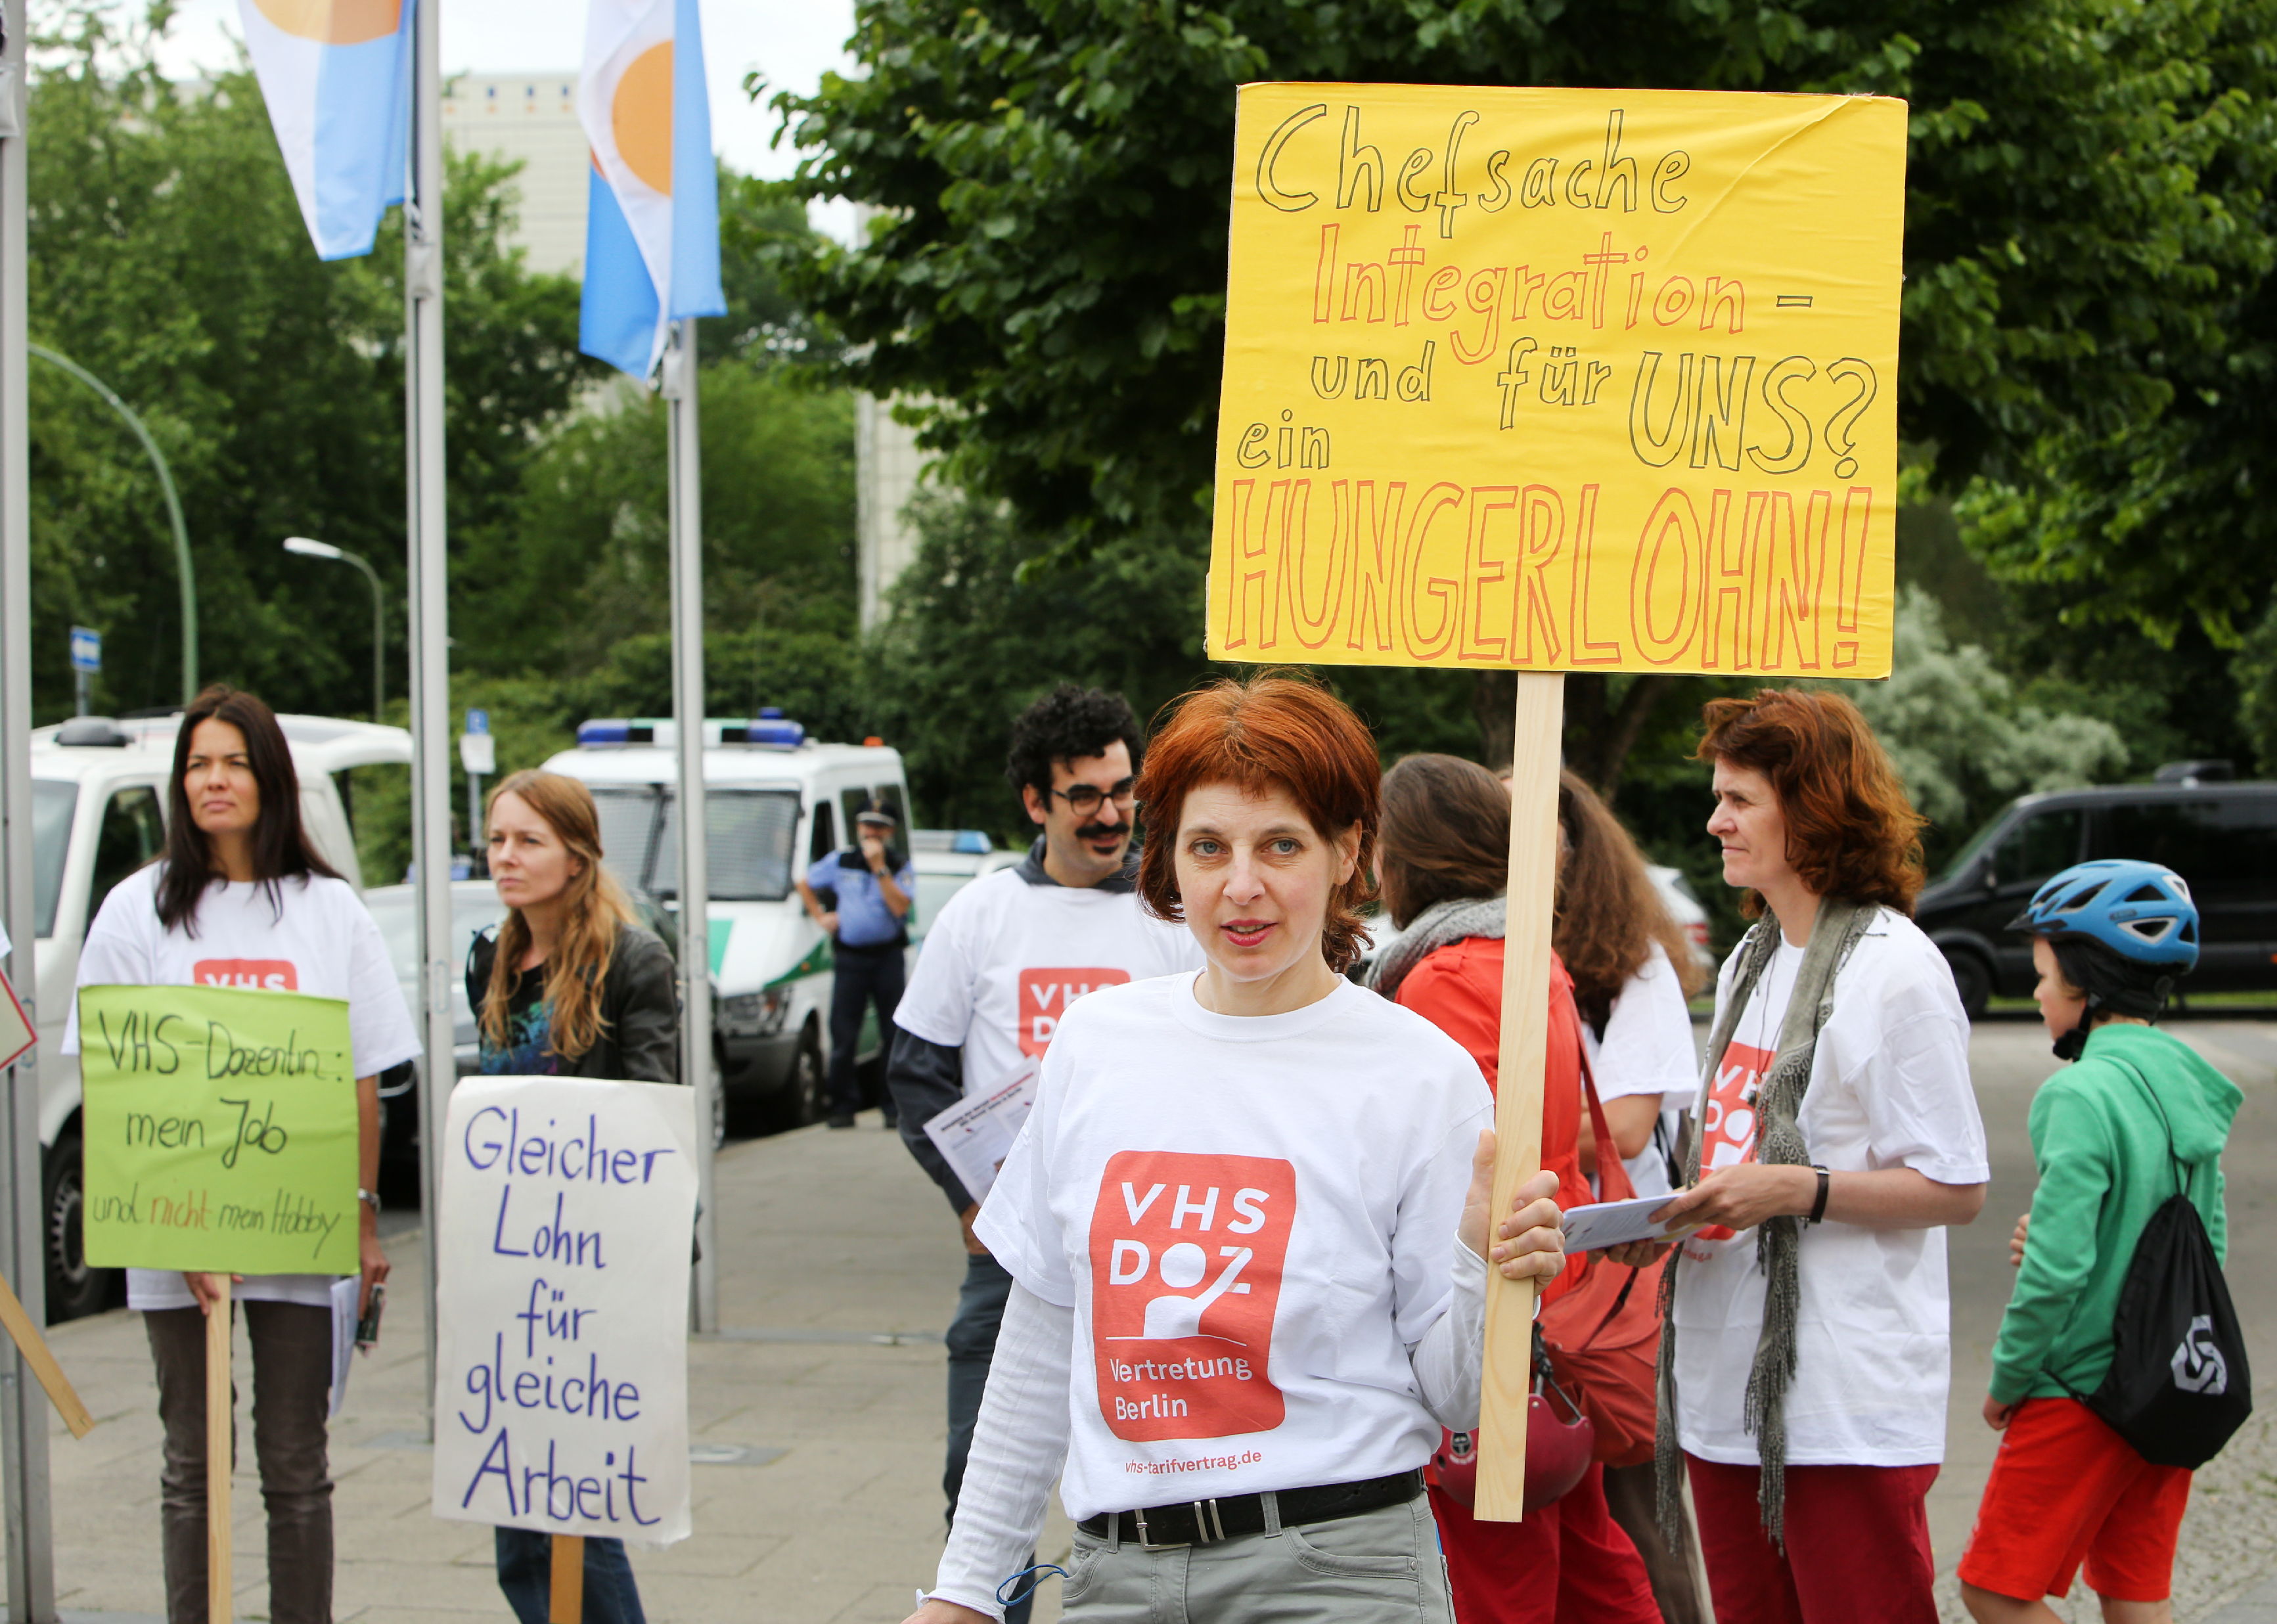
(293, 1391)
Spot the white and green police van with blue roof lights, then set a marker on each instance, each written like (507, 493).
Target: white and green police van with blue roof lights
(775, 803)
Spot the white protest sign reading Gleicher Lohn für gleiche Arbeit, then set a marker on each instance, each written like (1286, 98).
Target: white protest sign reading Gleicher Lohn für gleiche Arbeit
(561, 1365)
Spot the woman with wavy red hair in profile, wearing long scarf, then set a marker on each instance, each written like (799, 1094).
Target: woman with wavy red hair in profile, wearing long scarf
(1836, 1135)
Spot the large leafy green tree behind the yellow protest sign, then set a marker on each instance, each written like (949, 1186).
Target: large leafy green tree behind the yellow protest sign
(1051, 261)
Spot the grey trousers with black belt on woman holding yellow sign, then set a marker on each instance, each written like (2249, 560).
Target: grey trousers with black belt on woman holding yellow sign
(1379, 1568)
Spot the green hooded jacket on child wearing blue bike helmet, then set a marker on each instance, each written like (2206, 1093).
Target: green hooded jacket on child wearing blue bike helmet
(2101, 1140)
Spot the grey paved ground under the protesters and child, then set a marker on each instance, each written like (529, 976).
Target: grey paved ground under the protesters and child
(839, 1272)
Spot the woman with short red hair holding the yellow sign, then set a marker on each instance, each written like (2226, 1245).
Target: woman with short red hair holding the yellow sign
(1247, 1227)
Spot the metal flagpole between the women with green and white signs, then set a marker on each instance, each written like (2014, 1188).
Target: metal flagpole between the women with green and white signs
(431, 643)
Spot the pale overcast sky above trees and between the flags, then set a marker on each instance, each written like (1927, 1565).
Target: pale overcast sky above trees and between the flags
(791, 42)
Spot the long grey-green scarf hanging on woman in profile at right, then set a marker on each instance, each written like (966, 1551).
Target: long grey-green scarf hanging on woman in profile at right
(1779, 1142)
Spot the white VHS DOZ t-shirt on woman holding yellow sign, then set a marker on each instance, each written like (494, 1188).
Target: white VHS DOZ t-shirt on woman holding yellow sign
(1251, 1222)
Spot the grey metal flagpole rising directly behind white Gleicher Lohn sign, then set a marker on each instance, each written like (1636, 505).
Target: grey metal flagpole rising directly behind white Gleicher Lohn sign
(684, 484)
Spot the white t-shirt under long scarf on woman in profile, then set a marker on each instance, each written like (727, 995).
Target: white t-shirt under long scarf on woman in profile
(1889, 1088)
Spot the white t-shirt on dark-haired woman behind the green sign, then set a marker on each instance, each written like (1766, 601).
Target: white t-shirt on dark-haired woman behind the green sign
(322, 944)
